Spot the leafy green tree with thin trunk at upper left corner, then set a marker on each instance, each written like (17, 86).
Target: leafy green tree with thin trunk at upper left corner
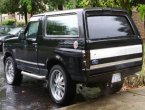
(22, 6)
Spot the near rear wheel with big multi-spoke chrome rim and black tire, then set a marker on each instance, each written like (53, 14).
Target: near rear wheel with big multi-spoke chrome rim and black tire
(62, 89)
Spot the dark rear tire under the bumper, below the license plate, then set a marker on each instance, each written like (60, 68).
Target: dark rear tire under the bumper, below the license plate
(110, 88)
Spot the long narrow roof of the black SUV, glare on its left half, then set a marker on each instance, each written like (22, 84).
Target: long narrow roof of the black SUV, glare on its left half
(81, 10)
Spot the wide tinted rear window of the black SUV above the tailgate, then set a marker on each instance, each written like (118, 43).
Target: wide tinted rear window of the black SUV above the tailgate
(108, 27)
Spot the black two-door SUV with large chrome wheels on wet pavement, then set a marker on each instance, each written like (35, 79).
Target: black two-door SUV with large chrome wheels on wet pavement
(85, 46)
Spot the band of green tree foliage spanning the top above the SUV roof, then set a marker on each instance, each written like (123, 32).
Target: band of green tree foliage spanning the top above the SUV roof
(37, 6)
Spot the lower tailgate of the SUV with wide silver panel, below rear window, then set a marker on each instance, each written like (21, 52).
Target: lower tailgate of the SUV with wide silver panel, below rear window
(112, 58)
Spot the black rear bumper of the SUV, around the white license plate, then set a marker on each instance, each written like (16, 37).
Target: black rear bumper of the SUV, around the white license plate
(93, 77)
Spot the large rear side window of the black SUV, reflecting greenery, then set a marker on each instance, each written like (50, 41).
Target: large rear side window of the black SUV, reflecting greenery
(62, 25)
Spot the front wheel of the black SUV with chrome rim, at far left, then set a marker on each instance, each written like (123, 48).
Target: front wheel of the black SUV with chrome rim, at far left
(12, 74)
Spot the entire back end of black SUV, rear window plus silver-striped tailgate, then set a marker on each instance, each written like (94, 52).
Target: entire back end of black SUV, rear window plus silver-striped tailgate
(113, 42)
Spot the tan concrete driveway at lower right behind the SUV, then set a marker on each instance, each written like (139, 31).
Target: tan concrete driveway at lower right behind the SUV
(124, 100)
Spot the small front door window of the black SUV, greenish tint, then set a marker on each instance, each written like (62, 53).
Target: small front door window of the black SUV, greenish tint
(32, 29)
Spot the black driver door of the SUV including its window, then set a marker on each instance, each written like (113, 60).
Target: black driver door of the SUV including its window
(28, 50)
